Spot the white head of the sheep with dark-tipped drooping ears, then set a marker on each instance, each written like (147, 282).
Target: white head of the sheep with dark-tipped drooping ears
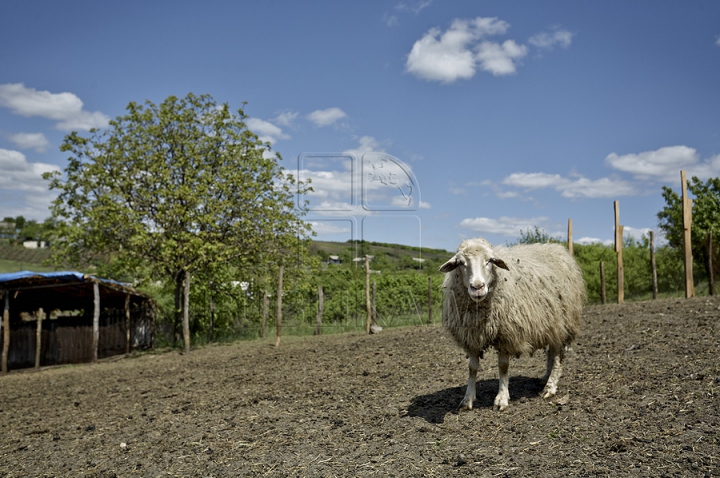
(476, 261)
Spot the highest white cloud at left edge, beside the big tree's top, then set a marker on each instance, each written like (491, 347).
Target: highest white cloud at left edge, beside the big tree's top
(66, 108)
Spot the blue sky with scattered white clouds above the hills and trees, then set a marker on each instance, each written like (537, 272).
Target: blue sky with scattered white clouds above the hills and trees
(419, 122)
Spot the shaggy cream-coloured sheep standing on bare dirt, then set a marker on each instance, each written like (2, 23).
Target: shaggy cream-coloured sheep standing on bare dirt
(516, 300)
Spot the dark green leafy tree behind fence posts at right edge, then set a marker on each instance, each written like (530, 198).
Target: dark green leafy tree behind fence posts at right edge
(706, 217)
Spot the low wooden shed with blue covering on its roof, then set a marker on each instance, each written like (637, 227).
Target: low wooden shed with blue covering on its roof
(69, 317)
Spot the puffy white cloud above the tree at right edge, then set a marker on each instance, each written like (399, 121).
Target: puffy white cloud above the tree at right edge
(665, 164)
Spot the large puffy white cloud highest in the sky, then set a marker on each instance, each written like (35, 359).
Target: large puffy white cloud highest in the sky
(455, 54)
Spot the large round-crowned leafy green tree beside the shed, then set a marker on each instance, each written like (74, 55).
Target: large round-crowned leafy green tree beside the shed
(183, 186)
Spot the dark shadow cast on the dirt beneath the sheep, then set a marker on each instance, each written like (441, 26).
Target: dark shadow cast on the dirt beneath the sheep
(434, 406)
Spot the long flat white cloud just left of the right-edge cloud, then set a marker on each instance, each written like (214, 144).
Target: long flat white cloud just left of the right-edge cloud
(572, 187)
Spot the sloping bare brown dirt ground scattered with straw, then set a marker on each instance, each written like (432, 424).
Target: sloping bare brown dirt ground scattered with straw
(639, 397)
